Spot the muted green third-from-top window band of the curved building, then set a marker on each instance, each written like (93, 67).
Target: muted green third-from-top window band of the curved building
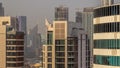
(107, 44)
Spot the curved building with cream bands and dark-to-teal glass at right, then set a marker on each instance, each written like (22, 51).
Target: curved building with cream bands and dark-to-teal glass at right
(106, 36)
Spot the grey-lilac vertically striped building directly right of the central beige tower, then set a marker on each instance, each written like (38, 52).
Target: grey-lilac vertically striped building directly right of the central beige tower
(83, 49)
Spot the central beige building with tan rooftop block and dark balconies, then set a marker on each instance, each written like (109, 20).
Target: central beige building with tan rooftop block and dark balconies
(62, 46)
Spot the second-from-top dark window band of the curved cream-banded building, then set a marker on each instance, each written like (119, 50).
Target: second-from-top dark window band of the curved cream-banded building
(107, 27)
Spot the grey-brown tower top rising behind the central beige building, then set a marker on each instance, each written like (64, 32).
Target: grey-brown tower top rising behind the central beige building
(61, 13)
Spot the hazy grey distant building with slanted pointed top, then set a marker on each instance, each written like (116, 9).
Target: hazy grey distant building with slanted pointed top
(33, 43)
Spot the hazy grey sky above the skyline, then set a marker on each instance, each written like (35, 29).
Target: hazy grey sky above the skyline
(37, 10)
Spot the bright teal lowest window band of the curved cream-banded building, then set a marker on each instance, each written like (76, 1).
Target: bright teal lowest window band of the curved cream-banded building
(107, 60)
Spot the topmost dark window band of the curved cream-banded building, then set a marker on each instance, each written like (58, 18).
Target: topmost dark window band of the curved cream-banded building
(107, 11)
